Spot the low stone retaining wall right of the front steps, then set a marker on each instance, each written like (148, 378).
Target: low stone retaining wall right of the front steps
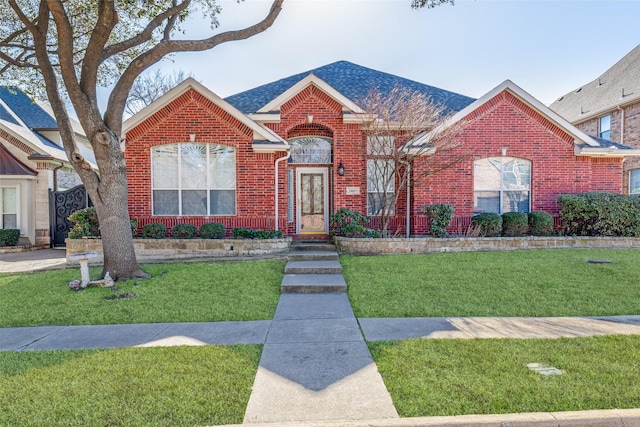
(421, 245)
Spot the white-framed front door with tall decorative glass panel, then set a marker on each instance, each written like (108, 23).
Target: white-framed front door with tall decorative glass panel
(312, 201)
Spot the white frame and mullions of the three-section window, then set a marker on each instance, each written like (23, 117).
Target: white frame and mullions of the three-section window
(209, 185)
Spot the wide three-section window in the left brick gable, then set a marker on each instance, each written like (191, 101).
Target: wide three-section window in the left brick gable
(193, 179)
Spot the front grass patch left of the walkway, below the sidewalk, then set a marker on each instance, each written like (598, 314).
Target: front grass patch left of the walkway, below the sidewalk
(173, 386)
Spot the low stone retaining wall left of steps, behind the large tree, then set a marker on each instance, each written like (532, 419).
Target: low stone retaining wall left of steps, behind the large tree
(154, 249)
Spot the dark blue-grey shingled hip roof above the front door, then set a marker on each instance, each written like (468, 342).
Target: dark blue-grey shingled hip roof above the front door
(353, 81)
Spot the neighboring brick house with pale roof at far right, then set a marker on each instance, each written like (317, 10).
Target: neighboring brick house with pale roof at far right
(609, 108)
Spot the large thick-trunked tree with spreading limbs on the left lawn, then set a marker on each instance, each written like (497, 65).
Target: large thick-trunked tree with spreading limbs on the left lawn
(74, 46)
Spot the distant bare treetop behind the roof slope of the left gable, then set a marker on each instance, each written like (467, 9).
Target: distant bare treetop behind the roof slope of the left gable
(149, 87)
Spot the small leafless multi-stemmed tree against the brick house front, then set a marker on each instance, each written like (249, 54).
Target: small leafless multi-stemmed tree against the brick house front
(408, 139)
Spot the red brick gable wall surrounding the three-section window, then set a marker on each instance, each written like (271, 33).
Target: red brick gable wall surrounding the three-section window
(193, 113)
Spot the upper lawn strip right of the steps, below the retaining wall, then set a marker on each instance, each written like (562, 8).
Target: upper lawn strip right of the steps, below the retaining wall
(520, 283)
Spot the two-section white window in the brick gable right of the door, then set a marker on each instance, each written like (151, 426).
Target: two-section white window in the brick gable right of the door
(502, 184)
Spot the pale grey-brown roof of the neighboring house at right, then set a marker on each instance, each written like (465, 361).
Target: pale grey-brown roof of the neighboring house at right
(605, 93)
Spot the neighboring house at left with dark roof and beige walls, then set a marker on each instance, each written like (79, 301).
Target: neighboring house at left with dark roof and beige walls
(32, 162)
